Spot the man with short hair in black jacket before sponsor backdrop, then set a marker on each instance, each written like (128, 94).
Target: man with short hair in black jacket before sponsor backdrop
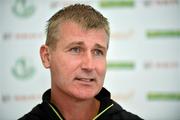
(75, 52)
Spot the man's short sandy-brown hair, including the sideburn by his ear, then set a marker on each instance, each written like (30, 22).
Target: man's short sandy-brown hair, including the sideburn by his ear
(84, 15)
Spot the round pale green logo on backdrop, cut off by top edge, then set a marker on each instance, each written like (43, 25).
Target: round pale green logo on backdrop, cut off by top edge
(23, 8)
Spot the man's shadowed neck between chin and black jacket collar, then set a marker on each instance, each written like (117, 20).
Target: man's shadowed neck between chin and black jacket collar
(75, 109)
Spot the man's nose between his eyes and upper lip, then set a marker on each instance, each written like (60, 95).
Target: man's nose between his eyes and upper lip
(87, 62)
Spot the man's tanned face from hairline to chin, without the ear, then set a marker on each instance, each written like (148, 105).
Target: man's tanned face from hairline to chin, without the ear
(78, 64)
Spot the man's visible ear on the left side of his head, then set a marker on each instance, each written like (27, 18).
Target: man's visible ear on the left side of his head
(45, 56)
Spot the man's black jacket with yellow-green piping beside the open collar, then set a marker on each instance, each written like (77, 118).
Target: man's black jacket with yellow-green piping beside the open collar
(109, 109)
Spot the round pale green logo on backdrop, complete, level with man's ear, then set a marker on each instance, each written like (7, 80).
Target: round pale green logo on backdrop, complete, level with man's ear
(23, 69)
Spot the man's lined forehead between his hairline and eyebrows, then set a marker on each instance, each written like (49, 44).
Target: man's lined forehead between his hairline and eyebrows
(70, 31)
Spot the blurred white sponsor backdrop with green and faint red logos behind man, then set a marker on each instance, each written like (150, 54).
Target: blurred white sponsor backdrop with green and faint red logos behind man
(143, 72)
